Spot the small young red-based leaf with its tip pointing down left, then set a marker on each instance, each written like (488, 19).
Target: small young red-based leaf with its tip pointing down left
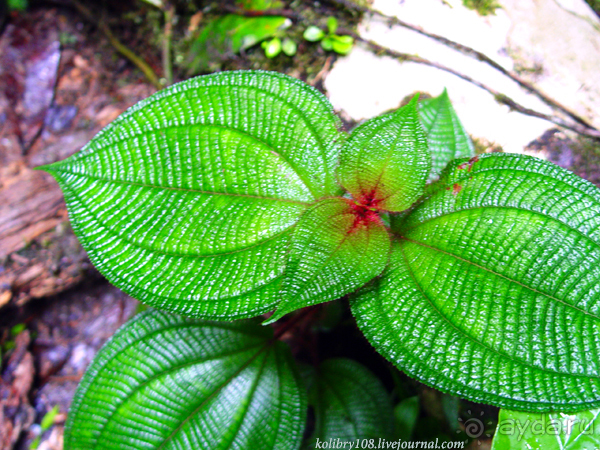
(337, 247)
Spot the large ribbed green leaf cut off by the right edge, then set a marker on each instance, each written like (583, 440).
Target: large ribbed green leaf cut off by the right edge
(493, 289)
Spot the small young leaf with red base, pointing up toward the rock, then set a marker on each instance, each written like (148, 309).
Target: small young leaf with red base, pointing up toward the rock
(385, 162)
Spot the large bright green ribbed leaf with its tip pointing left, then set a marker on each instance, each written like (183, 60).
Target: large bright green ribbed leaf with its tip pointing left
(186, 201)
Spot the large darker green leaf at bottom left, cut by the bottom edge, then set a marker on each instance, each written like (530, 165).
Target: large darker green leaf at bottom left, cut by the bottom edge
(166, 382)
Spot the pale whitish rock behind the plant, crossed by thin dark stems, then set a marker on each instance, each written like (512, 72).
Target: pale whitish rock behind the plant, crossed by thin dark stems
(540, 55)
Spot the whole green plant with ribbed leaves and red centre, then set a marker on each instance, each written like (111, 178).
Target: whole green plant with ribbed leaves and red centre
(235, 194)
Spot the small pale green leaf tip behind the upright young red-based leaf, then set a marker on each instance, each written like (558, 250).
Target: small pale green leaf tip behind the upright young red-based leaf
(446, 137)
